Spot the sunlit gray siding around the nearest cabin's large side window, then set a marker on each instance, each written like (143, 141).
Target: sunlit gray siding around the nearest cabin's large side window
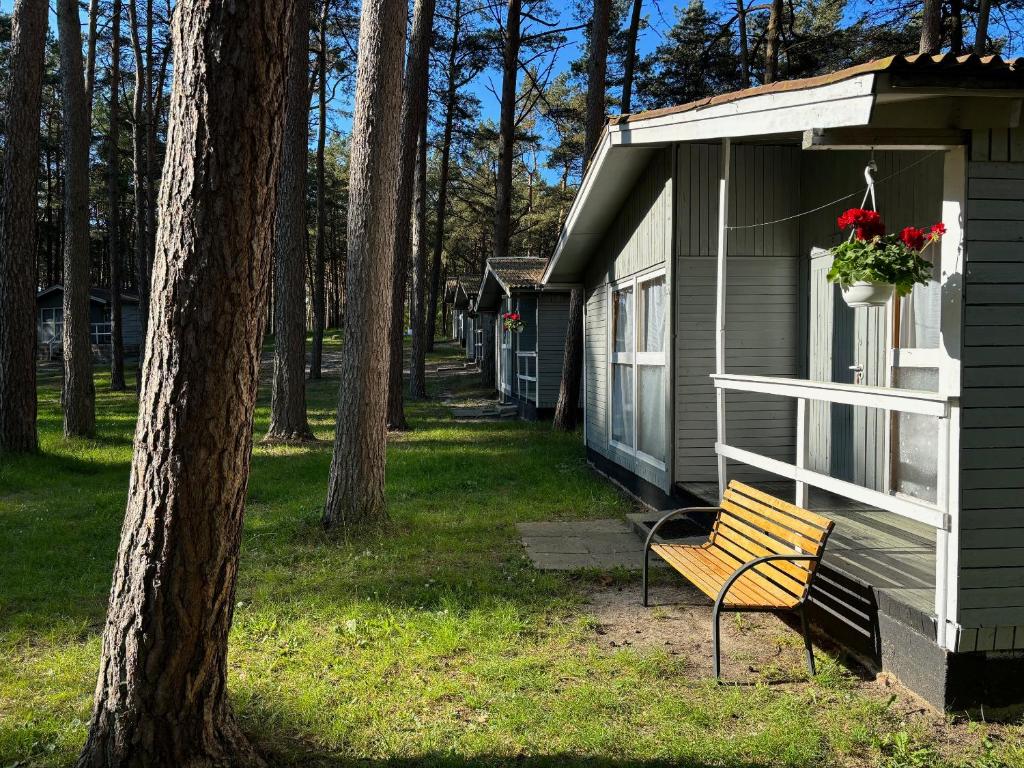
(638, 239)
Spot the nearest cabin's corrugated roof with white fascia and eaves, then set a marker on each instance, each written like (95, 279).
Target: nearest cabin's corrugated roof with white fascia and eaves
(895, 96)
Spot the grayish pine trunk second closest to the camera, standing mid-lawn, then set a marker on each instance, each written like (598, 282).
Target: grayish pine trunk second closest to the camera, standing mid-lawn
(356, 488)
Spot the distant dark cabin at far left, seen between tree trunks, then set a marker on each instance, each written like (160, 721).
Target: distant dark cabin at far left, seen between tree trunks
(50, 320)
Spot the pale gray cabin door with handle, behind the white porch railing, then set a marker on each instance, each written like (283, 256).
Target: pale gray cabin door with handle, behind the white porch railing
(847, 347)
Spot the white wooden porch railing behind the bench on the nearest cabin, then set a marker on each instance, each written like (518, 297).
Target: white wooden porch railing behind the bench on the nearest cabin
(944, 408)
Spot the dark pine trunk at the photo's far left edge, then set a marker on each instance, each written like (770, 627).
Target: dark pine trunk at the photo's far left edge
(18, 230)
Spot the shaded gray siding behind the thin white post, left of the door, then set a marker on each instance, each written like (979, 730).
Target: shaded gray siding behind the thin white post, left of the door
(762, 305)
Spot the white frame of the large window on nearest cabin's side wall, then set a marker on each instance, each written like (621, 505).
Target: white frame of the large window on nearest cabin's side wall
(636, 359)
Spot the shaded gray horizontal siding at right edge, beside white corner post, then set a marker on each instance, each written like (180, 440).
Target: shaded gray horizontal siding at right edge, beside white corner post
(992, 558)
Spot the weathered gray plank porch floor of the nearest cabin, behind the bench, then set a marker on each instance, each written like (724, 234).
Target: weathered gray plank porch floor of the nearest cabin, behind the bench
(893, 557)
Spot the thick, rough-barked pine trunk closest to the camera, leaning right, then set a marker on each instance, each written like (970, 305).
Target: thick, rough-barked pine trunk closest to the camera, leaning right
(162, 692)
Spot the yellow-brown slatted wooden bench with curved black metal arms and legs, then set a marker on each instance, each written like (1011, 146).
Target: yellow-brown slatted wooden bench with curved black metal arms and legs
(761, 557)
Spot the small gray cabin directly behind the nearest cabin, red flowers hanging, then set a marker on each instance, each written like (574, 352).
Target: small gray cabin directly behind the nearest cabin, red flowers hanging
(529, 363)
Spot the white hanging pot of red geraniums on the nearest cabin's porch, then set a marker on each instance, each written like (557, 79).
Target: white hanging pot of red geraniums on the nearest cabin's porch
(871, 267)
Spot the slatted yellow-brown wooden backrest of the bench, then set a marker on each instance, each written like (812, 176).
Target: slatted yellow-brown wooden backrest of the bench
(753, 525)
